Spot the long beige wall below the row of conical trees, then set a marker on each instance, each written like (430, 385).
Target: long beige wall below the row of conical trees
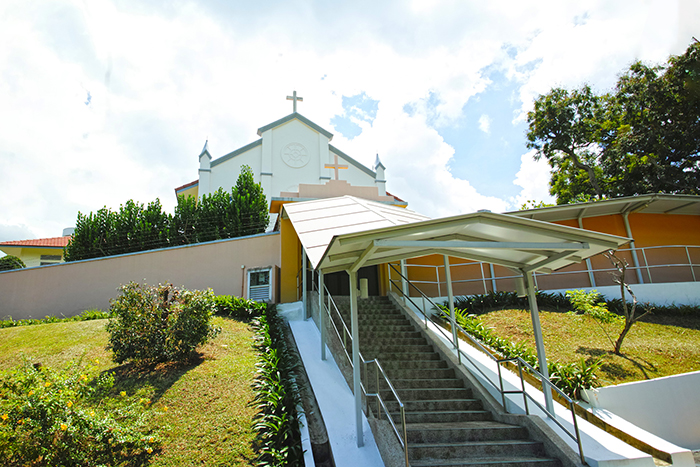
(70, 288)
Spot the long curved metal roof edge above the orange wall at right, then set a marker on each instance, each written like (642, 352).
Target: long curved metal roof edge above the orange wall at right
(648, 204)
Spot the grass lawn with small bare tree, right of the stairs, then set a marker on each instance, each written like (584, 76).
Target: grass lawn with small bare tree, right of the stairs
(661, 346)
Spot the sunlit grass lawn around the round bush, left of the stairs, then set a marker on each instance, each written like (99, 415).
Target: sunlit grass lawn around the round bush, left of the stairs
(207, 417)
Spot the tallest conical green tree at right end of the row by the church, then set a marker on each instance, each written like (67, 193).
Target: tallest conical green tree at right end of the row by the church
(251, 204)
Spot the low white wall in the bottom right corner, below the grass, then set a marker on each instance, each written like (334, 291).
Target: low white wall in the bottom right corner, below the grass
(667, 407)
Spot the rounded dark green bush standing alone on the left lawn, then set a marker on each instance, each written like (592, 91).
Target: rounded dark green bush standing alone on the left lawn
(151, 324)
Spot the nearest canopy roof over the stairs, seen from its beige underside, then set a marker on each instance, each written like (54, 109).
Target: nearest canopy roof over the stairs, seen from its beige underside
(520, 244)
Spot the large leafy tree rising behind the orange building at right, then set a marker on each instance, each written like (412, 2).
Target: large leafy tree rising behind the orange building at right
(641, 137)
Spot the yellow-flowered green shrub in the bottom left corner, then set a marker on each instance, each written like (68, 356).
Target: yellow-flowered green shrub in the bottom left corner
(50, 418)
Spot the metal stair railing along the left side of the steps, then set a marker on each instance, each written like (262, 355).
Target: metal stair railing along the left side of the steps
(379, 372)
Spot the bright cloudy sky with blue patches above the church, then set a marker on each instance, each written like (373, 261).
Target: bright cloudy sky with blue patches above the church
(105, 101)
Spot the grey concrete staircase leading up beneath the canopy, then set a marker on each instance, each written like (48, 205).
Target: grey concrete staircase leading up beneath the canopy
(447, 424)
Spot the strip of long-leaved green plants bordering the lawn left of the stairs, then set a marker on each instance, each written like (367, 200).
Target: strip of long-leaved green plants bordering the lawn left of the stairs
(278, 437)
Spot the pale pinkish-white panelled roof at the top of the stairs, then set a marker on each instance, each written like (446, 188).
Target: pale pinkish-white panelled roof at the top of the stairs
(317, 222)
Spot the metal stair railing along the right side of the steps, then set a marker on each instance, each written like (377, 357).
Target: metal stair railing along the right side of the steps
(576, 436)
